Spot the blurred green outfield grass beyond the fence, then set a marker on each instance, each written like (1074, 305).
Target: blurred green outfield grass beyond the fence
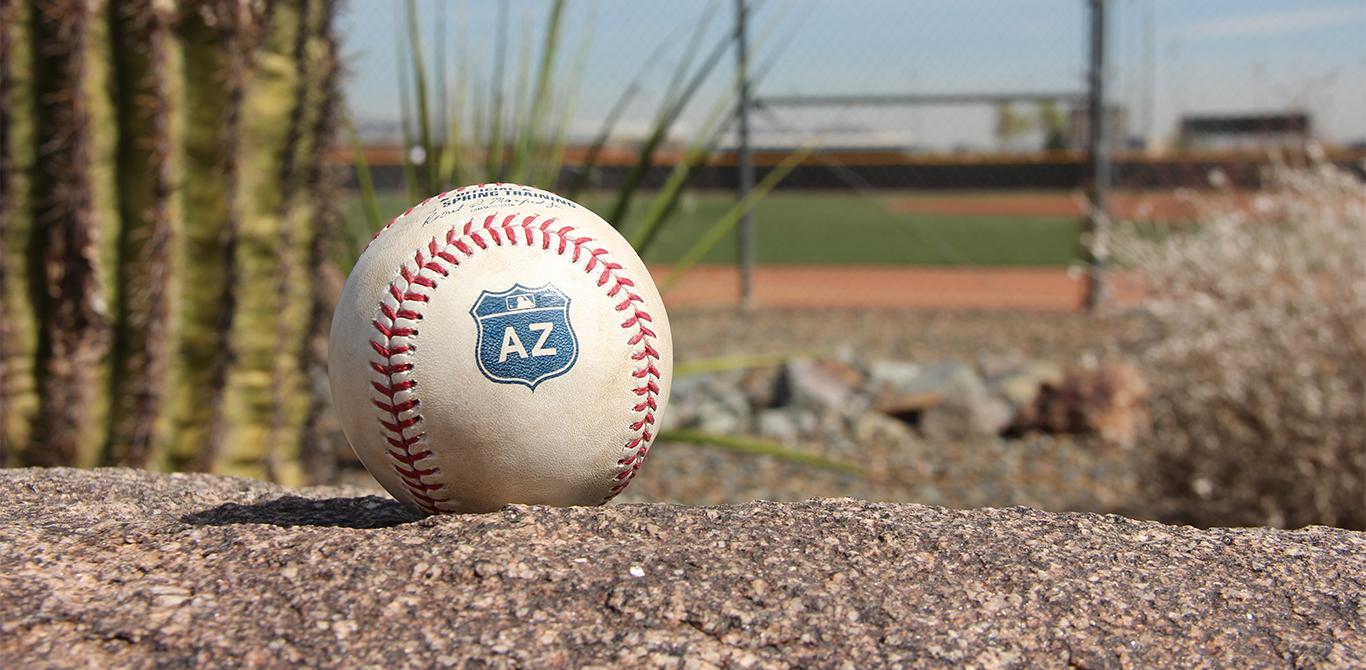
(845, 229)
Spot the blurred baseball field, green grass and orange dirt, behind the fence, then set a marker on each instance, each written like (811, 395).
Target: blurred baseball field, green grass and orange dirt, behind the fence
(890, 250)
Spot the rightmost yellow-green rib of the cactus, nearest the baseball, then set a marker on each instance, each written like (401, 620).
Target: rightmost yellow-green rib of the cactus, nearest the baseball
(263, 404)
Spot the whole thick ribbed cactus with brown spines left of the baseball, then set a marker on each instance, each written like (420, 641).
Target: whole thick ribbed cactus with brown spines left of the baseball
(159, 165)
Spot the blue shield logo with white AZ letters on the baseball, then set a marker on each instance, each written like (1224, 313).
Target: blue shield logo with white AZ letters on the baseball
(525, 336)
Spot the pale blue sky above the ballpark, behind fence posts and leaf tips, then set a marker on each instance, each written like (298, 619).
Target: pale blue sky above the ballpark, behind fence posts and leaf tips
(1167, 58)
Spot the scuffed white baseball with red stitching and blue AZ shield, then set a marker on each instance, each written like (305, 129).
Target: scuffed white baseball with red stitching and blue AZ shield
(498, 345)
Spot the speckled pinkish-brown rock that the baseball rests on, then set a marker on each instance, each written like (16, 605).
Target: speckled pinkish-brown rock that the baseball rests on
(133, 569)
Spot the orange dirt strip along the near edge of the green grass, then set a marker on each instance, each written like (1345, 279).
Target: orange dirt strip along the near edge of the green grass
(893, 288)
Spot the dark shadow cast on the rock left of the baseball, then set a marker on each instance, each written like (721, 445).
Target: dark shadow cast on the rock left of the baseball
(292, 511)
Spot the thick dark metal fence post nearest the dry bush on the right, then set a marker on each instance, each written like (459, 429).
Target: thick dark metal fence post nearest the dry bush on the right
(1099, 159)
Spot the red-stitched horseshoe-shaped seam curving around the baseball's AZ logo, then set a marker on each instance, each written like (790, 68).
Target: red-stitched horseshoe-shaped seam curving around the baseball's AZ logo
(397, 326)
